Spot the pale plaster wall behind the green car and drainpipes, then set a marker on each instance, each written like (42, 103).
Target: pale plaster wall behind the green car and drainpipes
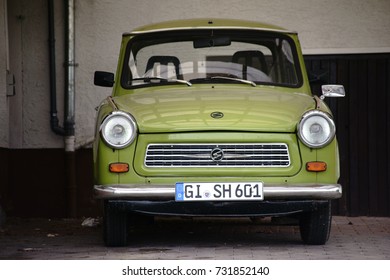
(324, 26)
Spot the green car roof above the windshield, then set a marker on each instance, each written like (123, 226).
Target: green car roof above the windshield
(191, 24)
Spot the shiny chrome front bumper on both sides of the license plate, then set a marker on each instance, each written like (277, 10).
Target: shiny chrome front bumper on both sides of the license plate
(167, 192)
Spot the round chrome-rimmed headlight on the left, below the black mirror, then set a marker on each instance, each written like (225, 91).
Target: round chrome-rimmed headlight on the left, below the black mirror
(118, 130)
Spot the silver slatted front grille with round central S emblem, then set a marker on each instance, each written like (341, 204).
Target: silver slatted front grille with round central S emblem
(218, 155)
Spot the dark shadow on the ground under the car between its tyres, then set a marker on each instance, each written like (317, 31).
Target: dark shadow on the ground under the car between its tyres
(213, 232)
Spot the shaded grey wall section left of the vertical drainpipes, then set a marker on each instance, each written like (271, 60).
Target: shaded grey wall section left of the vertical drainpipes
(28, 56)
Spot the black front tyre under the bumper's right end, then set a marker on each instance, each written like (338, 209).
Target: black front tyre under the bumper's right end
(315, 225)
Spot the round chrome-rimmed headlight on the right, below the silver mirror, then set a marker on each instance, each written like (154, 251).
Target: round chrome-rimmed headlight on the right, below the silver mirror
(316, 129)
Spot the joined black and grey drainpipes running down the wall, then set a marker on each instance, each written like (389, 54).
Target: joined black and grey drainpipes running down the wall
(68, 131)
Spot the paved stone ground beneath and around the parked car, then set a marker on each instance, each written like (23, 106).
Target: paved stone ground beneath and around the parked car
(352, 238)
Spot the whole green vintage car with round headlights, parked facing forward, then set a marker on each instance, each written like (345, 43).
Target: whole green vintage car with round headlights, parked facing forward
(214, 118)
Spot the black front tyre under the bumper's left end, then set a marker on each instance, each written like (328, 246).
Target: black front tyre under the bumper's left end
(114, 226)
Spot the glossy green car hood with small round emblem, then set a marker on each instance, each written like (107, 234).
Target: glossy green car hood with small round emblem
(182, 109)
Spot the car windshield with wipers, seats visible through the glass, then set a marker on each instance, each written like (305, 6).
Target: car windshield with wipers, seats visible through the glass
(211, 56)
